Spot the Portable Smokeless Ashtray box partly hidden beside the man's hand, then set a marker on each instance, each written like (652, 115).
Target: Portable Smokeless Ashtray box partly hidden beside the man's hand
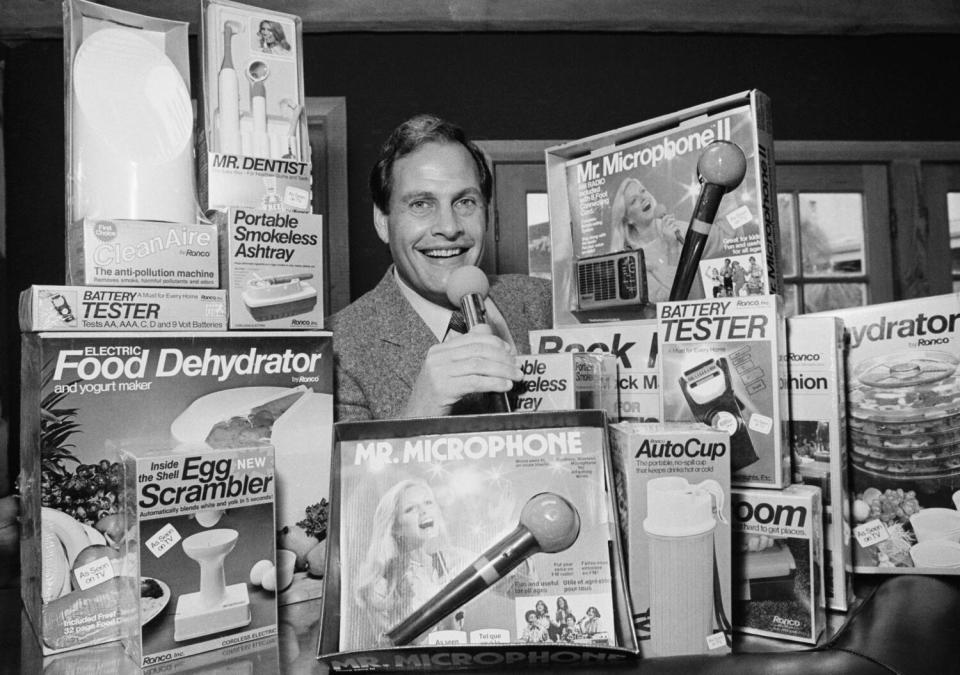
(570, 381)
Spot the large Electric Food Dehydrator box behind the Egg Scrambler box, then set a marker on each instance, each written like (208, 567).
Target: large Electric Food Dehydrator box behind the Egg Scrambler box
(84, 395)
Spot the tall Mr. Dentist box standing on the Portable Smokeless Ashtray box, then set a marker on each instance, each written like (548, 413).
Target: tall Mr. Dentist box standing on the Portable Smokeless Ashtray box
(256, 148)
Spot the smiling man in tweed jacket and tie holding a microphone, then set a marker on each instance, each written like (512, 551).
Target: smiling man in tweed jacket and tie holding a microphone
(395, 353)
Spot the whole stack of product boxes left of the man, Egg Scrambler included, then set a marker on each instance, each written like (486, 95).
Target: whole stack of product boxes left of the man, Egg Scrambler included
(135, 354)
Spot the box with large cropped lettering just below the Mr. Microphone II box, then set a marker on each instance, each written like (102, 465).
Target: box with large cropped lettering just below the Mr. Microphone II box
(635, 346)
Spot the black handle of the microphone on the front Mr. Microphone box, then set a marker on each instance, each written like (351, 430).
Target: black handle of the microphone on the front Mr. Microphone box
(485, 571)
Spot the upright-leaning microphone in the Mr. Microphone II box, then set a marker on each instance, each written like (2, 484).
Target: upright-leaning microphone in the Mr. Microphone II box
(720, 169)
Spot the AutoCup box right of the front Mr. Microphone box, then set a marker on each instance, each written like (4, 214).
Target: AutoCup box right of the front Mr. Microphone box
(673, 492)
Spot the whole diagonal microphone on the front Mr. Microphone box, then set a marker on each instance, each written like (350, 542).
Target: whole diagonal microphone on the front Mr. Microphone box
(548, 524)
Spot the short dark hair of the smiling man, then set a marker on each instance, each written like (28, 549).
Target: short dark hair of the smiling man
(409, 137)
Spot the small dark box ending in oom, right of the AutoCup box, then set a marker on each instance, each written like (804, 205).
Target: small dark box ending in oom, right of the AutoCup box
(778, 555)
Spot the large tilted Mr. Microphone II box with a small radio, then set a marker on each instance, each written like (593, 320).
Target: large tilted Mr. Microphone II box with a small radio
(592, 183)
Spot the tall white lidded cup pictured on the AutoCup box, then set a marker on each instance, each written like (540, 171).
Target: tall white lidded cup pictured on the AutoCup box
(680, 523)
